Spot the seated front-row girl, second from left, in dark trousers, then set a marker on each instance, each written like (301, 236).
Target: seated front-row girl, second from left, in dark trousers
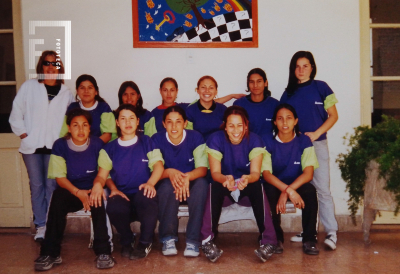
(135, 166)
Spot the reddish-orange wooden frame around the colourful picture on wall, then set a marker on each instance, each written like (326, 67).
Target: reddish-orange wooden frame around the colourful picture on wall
(158, 44)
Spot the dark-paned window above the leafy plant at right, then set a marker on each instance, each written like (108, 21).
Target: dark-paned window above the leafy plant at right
(384, 30)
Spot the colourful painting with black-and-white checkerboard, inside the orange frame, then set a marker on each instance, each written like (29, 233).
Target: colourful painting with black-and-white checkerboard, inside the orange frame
(195, 20)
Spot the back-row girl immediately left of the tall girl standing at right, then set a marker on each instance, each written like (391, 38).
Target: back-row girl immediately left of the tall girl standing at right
(259, 104)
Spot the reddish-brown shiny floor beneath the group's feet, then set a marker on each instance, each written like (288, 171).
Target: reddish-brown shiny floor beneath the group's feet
(18, 251)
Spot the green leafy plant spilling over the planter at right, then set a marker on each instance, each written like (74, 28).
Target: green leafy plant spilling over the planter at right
(380, 143)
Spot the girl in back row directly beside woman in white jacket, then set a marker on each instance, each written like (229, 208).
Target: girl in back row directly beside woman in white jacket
(103, 125)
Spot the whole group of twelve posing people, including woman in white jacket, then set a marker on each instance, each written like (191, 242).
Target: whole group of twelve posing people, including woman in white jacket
(202, 153)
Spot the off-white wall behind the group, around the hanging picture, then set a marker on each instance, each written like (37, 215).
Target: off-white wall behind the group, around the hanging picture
(102, 46)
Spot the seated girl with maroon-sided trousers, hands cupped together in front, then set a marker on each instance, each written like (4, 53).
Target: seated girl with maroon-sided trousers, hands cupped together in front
(235, 155)
